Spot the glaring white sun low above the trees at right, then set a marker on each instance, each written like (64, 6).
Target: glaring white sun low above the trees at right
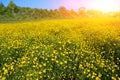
(105, 5)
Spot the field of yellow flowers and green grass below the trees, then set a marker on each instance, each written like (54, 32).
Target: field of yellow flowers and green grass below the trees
(85, 49)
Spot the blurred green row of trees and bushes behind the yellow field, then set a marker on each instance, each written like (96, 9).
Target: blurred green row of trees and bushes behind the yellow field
(14, 12)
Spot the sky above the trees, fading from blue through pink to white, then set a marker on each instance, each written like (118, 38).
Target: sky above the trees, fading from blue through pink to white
(55, 4)
